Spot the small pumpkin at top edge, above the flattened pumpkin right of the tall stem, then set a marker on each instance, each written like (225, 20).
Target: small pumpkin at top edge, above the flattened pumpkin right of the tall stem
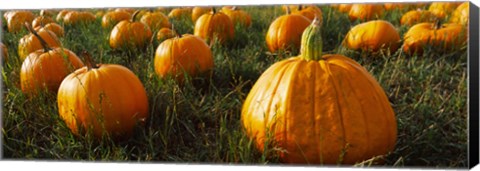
(365, 12)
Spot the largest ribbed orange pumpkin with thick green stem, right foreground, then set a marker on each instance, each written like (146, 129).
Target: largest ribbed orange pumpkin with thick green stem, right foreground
(319, 109)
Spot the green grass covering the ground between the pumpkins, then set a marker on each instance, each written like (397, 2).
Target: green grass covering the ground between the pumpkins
(200, 121)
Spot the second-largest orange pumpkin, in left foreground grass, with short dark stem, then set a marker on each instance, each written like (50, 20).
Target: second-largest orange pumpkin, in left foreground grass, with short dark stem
(103, 99)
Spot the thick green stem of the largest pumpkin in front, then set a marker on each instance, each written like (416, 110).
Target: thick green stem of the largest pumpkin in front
(312, 44)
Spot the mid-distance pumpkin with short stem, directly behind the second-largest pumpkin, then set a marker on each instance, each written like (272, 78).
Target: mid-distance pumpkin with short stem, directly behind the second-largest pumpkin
(130, 34)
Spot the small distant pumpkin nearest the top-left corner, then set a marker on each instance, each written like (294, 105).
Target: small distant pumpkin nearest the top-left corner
(16, 20)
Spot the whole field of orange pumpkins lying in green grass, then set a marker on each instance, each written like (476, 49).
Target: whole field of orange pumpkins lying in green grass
(361, 85)
